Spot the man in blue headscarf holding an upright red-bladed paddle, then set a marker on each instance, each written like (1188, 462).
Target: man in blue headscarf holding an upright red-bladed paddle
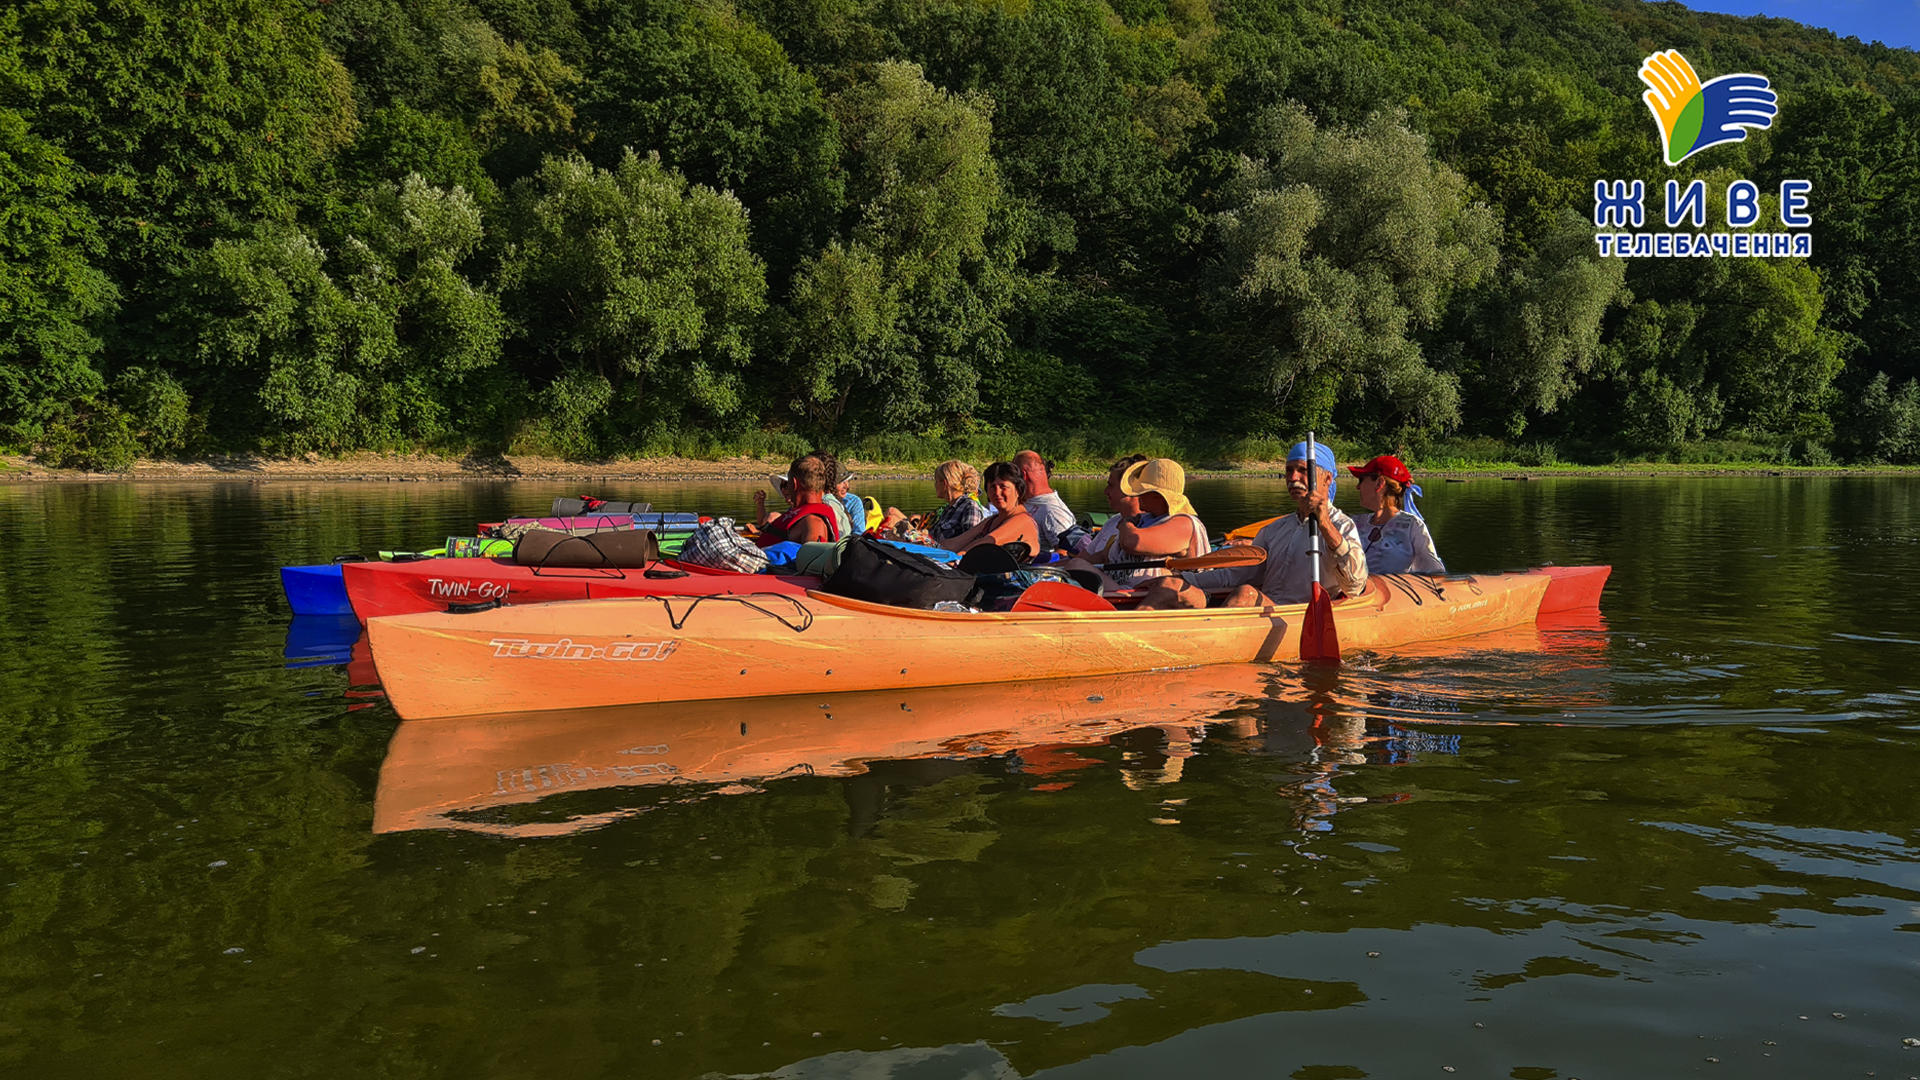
(1282, 579)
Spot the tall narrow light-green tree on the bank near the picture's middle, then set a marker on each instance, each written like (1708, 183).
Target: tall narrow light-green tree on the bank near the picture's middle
(890, 326)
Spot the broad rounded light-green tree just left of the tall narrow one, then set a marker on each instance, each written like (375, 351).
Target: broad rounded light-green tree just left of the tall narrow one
(635, 278)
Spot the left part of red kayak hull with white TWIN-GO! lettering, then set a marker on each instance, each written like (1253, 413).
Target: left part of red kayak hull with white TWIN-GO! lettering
(431, 585)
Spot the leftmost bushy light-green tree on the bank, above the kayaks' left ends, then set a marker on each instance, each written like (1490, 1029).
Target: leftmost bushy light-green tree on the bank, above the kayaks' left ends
(358, 347)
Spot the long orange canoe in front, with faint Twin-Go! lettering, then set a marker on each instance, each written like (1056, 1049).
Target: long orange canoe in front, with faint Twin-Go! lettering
(646, 650)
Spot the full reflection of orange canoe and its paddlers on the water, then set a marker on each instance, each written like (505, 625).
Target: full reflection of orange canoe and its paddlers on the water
(483, 773)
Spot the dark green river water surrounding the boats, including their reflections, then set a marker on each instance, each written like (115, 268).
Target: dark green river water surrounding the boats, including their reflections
(1679, 841)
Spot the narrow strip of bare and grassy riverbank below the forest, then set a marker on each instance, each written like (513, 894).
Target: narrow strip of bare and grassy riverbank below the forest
(423, 468)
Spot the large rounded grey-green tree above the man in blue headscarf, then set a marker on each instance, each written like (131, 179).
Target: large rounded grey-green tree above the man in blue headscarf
(1337, 249)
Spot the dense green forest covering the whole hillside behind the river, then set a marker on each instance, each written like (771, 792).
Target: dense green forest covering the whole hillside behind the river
(602, 228)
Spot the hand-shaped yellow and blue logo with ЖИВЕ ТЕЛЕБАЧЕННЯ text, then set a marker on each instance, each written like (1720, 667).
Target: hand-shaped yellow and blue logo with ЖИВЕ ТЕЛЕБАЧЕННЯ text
(1696, 116)
